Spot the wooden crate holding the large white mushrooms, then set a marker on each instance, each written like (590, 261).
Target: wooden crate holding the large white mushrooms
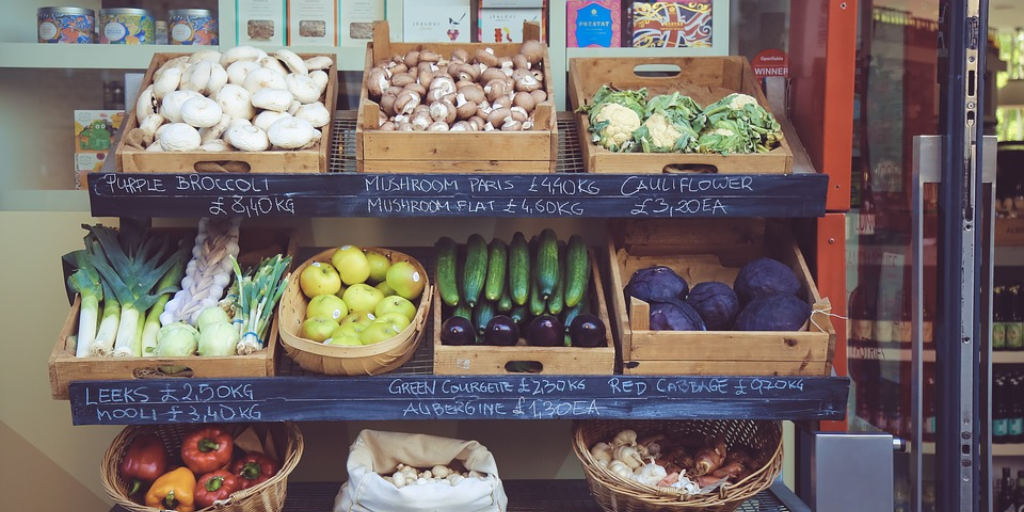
(314, 160)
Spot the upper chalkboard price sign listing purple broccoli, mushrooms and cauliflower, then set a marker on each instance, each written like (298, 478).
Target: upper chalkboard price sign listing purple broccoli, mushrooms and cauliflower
(352, 195)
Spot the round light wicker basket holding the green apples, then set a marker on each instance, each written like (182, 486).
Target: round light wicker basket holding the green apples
(333, 360)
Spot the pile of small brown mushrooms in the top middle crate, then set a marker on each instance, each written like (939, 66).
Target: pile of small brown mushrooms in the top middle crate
(424, 92)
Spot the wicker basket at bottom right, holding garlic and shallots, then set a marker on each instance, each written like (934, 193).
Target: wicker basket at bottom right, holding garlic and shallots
(620, 495)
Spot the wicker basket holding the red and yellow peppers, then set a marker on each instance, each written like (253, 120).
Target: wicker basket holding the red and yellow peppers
(267, 497)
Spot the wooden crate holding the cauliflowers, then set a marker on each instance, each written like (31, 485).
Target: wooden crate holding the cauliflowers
(705, 79)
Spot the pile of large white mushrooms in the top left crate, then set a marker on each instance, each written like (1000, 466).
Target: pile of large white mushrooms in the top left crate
(241, 100)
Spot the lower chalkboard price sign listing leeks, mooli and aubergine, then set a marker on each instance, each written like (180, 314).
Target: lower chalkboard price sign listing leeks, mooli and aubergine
(431, 398)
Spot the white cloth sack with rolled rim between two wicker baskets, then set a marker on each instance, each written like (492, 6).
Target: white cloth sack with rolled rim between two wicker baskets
(376, 454)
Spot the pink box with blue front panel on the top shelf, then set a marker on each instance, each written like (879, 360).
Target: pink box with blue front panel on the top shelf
(593, 23)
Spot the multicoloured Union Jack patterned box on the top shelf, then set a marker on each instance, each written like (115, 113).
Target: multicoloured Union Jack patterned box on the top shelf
(685, 24)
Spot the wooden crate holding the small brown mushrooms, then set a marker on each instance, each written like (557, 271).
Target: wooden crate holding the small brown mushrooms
(394, 152)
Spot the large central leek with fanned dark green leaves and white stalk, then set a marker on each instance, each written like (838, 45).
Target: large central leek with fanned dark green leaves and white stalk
(133, 268)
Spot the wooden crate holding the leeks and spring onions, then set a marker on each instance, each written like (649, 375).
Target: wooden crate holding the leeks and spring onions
(66, 368)
